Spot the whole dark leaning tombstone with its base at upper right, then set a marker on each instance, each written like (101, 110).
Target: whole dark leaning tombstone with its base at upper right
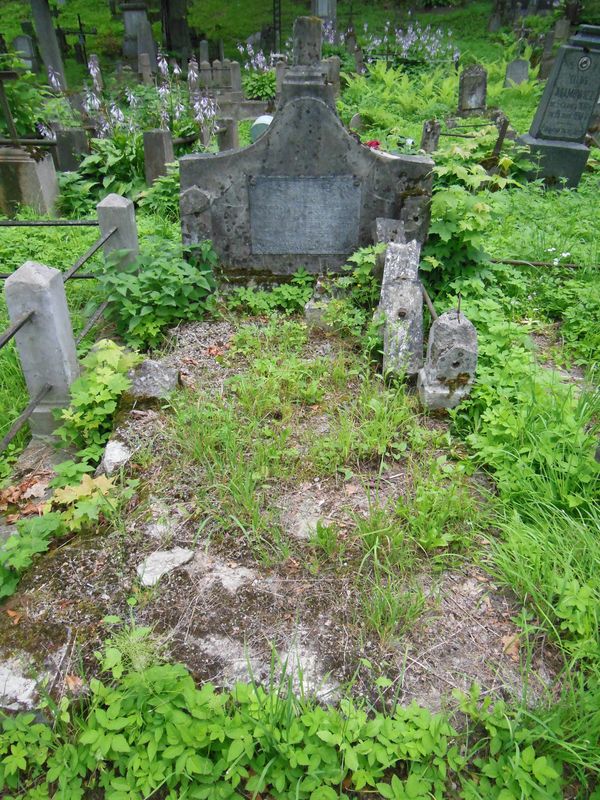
(557, 134)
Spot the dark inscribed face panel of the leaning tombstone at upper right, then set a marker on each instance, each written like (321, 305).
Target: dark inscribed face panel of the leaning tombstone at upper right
(570, 96)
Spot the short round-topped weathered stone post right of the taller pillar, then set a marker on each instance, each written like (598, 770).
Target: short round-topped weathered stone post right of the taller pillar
(449, 370)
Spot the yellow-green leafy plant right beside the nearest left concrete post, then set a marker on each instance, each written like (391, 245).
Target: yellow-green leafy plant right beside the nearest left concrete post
(87, 422)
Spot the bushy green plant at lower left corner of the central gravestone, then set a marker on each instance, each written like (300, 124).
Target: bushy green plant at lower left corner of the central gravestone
(158, 289)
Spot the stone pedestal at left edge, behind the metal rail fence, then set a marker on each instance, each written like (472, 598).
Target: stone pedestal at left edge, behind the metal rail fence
(26, 182)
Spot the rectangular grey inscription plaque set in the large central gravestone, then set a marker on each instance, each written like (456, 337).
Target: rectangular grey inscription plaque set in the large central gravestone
(312, 215)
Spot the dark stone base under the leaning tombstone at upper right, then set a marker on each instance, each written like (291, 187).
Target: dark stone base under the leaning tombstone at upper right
(557, 161)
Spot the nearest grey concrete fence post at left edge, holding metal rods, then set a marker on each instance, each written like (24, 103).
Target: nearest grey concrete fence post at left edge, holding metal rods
(45, 343)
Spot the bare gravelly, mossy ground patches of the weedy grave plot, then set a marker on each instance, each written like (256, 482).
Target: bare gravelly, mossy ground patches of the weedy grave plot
(232, 613)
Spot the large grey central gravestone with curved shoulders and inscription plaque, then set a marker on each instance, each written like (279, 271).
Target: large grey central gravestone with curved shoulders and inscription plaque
(306, 193)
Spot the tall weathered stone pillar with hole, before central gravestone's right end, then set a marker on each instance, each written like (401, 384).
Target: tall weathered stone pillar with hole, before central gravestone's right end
(401, 305)
